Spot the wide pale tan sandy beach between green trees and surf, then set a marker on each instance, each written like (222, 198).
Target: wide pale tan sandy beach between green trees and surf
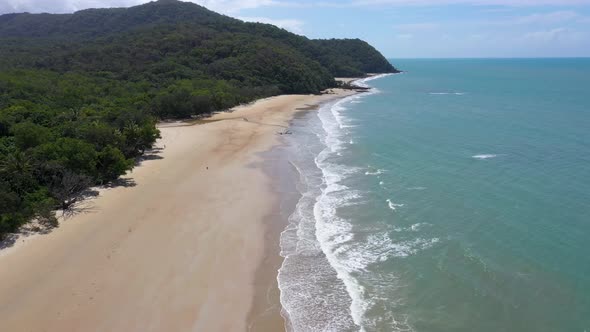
(181, 245)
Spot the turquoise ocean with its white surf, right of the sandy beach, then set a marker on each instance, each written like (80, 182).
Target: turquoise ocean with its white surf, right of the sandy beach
(452, 197)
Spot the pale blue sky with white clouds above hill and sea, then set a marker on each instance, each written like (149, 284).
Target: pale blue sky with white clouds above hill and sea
(403, 28)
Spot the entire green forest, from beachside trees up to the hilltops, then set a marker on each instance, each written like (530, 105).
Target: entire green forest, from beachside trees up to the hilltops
(80, 93)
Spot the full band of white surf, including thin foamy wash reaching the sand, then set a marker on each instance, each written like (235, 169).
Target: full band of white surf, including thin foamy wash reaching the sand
(325, 256)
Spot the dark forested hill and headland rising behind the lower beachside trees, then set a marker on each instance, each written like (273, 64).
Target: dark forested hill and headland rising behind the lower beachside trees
(183, 39)
